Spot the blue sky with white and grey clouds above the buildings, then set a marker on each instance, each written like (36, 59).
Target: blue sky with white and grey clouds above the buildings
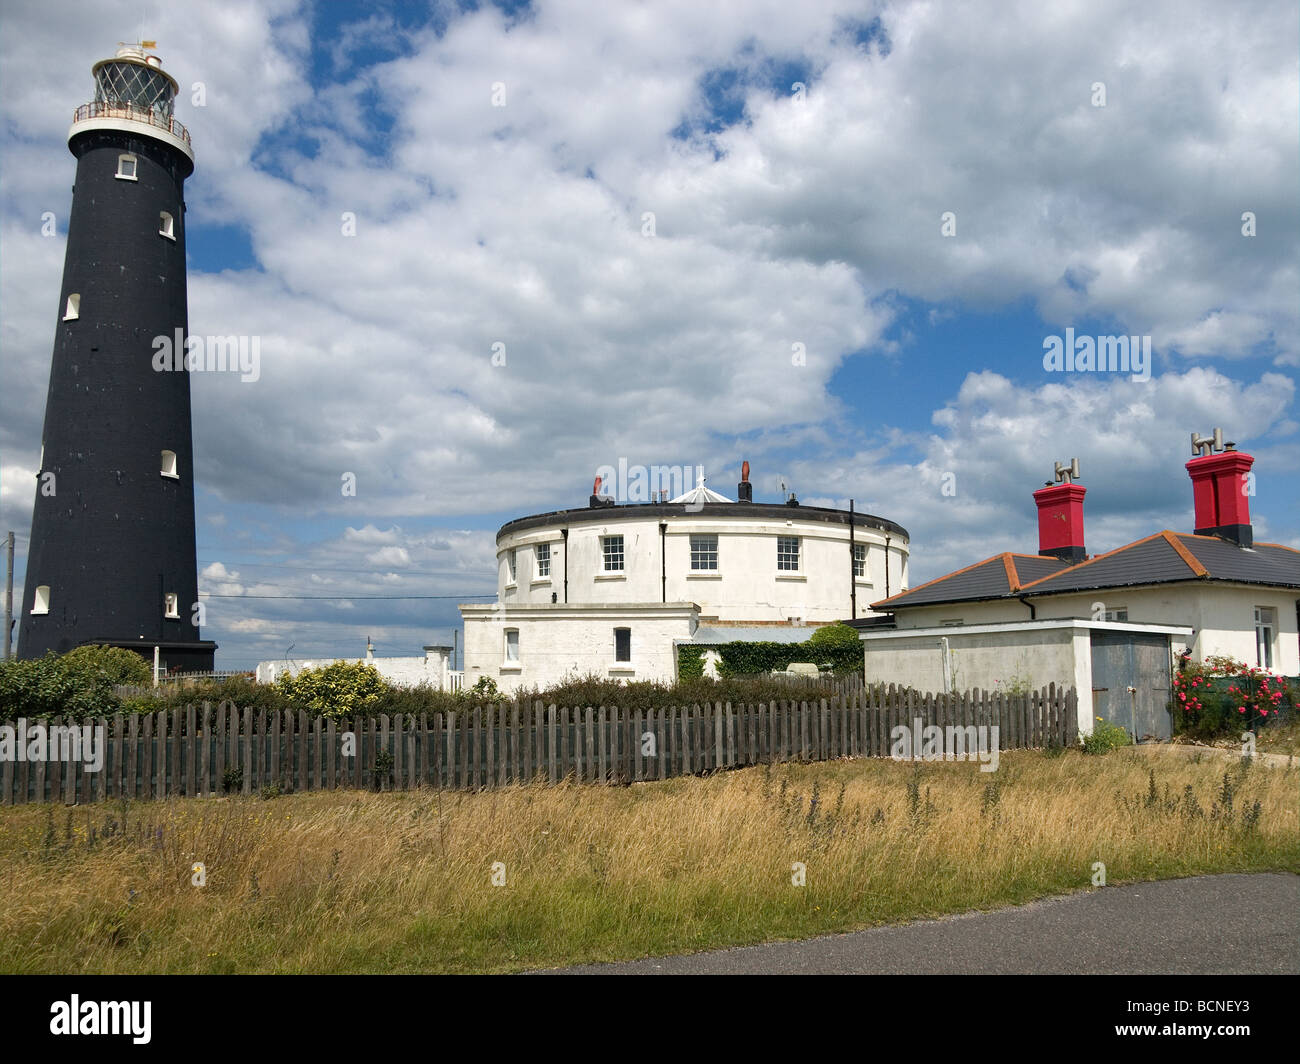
(830, 239)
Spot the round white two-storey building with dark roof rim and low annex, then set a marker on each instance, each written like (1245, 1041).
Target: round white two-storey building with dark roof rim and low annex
(613, 590)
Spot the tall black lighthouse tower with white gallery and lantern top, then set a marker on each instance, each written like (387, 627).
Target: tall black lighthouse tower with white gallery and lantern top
(112, 557)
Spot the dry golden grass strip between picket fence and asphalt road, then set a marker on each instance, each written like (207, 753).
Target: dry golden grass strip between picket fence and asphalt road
(404, 883)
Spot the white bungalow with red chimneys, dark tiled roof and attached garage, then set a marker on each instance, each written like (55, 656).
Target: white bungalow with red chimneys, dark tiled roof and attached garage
(1113, 625)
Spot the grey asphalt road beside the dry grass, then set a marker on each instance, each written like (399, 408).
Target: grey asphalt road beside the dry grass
(1207, 925)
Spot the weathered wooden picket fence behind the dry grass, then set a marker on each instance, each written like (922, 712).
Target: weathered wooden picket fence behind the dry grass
(209, 751)
